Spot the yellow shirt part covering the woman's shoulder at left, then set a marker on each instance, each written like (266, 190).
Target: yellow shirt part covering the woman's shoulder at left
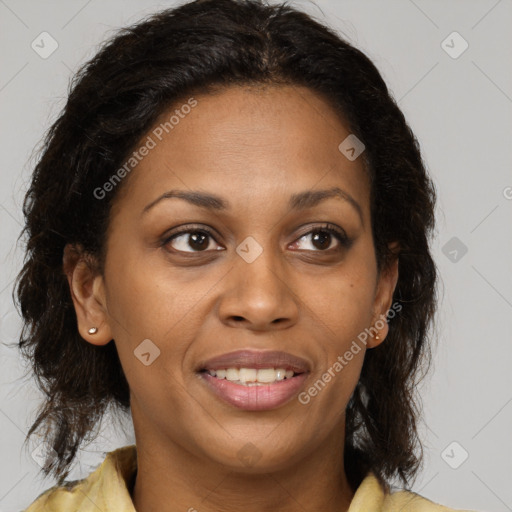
(108, 485)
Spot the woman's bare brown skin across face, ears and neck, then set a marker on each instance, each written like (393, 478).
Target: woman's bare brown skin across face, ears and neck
(254, 147)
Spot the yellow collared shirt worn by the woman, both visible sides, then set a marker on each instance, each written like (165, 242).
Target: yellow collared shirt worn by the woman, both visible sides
(107, 489)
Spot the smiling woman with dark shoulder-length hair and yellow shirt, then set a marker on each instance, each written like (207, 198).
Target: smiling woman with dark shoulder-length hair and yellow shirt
(228, 237)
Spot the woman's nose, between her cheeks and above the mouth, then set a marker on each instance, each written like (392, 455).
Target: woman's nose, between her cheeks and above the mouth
(259, 295)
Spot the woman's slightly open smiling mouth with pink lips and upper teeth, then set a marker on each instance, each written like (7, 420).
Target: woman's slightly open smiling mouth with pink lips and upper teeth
(255, 380)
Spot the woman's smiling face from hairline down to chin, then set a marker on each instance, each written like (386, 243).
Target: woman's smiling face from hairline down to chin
(253, 271)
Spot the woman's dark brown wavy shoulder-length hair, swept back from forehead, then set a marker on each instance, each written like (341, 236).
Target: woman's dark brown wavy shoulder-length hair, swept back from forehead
(114, 99)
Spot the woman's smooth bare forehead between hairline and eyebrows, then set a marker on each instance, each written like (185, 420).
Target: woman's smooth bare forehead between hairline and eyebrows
(251, 145)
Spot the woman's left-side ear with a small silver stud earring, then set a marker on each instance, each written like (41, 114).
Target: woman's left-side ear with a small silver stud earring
(87, 289)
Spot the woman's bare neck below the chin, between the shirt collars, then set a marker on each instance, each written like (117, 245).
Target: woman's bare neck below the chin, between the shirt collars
(171, 479)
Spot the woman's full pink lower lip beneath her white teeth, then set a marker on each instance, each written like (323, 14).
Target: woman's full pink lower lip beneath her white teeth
(255, 398)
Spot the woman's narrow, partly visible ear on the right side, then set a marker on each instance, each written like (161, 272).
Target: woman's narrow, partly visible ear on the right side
(385, 288)
